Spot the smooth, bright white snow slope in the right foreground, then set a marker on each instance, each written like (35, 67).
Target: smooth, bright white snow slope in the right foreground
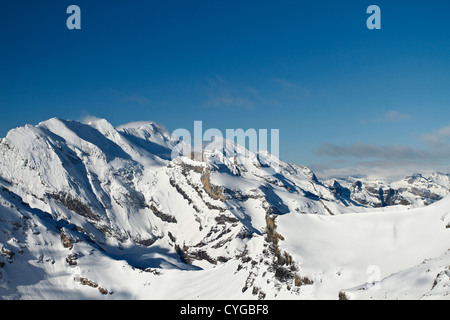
(349, 250)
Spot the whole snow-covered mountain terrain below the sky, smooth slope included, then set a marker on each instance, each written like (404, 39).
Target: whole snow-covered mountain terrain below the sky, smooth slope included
(94, 211)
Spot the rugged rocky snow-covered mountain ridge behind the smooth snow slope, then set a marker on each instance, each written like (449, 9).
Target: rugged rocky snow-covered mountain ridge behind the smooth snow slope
(115, 195)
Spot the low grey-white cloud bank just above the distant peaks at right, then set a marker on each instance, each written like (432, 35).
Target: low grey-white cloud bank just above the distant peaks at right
(387, 161)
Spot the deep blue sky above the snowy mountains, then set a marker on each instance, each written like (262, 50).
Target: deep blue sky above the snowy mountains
(342, 96)
